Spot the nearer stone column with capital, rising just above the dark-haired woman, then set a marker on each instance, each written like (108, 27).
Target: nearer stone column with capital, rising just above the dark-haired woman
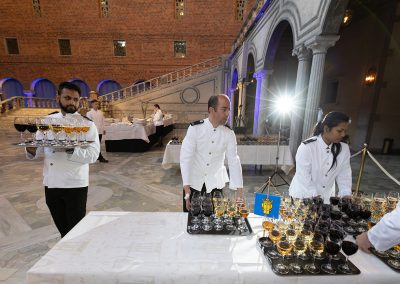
(319, 46)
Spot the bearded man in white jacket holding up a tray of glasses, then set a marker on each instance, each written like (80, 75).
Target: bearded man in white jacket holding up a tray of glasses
(66, 171)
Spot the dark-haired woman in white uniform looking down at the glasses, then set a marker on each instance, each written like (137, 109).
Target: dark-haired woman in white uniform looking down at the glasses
(323, 160)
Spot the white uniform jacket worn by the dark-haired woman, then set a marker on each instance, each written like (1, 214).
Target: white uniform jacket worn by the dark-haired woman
(313, 177)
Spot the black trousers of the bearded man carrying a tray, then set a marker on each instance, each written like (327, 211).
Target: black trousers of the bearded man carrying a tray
(67, 206)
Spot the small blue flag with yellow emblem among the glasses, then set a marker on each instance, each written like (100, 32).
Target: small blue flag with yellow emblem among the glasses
(267, 205)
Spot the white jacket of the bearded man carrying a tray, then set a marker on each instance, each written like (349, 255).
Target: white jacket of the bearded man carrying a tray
(62, 170)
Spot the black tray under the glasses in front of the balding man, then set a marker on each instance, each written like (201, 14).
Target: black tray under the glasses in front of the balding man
(239, 226)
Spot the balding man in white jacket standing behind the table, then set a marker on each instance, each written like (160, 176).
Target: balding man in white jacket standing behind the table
(203, 152)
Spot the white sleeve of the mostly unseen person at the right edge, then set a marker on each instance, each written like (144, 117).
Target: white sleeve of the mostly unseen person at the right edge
(386, 233)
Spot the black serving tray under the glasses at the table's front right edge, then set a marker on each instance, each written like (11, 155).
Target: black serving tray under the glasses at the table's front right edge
(318, 263)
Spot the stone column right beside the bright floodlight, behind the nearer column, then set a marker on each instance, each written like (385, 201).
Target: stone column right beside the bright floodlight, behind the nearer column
(297, 116)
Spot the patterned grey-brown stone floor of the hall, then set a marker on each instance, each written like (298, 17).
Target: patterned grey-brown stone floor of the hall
(129, 182)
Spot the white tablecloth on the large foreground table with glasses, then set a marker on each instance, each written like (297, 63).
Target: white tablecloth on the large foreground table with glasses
(137, 247)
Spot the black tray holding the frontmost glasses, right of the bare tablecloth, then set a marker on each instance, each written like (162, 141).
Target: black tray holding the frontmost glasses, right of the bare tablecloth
(275, 259)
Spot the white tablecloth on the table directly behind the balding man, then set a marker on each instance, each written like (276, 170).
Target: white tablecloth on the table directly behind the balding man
(249, 155)
